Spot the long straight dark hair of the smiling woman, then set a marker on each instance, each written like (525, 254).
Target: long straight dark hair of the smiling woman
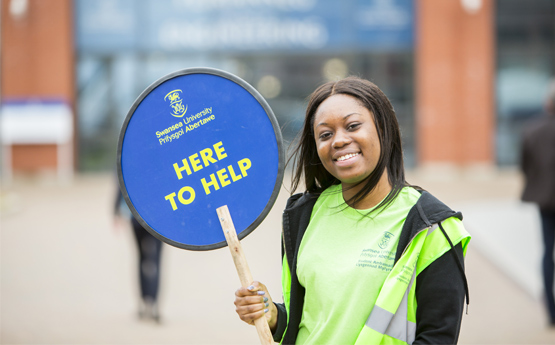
(305, 155)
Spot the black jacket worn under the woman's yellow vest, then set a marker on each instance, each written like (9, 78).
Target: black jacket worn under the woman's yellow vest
(440, 288)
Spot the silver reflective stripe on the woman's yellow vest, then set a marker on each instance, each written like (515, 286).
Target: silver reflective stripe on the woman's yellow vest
(394, 325)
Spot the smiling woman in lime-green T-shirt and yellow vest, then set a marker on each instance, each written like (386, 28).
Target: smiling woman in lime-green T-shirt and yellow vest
(361, 248)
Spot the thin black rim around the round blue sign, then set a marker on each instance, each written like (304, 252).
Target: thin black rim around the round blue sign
(277, 132)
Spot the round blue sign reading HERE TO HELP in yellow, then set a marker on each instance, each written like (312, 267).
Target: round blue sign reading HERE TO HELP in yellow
(194, 141)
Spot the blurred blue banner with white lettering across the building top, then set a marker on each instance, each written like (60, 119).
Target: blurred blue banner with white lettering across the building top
(243, 25)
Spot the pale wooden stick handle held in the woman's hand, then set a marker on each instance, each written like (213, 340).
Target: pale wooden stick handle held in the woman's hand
(242, 268)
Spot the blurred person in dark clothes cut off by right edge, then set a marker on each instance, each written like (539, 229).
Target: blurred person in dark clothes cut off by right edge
(538, 165)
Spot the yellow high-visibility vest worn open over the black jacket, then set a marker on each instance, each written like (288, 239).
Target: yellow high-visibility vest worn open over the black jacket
(392, 320)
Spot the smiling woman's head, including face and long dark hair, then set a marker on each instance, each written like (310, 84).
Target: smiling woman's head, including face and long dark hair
(369, 113)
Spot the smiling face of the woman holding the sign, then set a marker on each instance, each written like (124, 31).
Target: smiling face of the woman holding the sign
(346, 139)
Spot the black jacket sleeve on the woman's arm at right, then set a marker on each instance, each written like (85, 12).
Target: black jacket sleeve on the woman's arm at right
(440, 296)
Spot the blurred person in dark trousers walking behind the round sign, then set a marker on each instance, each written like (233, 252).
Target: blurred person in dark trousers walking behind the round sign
(149, 249)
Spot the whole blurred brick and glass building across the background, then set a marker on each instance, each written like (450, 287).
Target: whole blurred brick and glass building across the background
(463, 75)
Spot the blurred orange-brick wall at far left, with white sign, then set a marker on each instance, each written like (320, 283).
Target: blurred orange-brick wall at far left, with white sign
(37, 88)
